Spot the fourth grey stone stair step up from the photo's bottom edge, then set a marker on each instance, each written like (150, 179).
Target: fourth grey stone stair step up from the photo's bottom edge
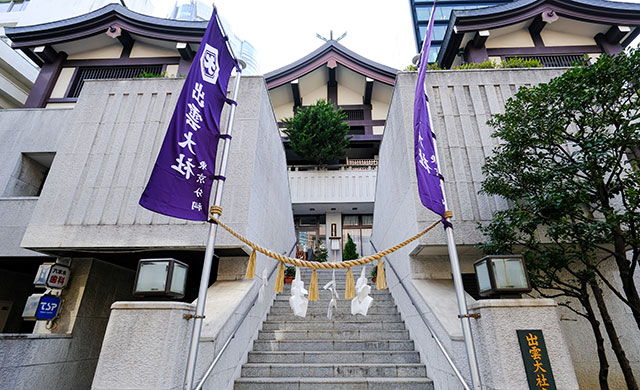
(333, 345)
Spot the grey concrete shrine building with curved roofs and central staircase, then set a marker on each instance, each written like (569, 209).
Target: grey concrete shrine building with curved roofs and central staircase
(74, 162)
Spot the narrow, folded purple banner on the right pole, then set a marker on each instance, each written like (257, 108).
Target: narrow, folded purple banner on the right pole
(426, 166)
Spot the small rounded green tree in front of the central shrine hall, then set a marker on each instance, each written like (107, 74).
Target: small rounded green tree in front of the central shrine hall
(318, 133)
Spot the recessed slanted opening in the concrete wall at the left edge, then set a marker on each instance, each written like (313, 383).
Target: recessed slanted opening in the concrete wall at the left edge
(29, 175)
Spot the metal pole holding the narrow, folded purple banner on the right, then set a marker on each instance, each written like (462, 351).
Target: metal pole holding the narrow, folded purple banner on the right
(457, 280)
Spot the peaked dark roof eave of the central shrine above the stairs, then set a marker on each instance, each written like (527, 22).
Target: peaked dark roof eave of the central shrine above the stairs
(331, 50)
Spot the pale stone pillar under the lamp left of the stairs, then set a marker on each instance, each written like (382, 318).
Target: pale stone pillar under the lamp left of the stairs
(145, 346)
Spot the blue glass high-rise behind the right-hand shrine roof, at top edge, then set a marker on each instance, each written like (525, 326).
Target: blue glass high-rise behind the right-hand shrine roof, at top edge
(421, 10)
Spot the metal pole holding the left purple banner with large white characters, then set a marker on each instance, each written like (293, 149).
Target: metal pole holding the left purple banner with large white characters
(208, 256)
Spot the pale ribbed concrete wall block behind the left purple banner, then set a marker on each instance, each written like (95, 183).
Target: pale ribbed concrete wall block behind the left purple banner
(110, 145)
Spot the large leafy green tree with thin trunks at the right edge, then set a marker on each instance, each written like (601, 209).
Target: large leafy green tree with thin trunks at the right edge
(567, 163)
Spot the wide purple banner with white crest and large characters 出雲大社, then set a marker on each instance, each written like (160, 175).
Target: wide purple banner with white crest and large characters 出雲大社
(181, 179)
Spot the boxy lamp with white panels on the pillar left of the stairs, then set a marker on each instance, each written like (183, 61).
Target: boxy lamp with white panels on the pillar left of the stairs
(161, 278)
